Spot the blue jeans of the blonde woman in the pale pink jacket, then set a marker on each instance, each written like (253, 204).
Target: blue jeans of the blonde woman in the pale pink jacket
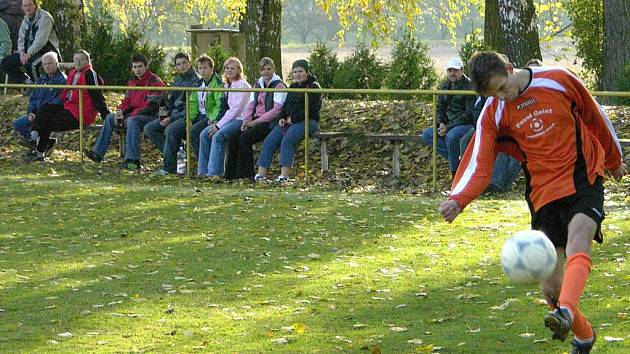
(212, 152)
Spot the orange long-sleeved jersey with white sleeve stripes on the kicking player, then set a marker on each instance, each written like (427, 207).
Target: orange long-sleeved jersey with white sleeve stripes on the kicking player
(555, 128)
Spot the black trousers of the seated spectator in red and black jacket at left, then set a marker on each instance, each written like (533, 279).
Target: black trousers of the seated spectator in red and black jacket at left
(52, 118)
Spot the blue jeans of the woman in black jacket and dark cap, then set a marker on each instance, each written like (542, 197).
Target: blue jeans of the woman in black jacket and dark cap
(284, 138)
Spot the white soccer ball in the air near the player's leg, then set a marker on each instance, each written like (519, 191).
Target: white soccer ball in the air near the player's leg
(528, 257)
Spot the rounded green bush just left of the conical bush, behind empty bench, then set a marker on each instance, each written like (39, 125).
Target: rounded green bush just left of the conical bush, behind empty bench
(361, 70)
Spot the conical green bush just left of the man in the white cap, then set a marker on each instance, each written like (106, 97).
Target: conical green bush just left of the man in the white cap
(411, 68)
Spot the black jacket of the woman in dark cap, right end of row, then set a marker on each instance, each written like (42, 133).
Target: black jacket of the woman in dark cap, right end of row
(294, 104)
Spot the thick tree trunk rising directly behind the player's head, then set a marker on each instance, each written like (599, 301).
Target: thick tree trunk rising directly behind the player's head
(510, 28)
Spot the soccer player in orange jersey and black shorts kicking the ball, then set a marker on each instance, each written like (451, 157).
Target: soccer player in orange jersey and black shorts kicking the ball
(547, 119)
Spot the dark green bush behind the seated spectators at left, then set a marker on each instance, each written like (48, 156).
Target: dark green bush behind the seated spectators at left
(111, 51)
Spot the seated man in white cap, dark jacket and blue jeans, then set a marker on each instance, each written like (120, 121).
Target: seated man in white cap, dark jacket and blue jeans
(454, 113)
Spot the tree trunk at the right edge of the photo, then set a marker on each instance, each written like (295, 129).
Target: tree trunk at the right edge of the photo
(616, 51)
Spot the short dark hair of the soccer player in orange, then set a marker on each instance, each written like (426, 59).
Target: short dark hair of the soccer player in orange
(484, 66)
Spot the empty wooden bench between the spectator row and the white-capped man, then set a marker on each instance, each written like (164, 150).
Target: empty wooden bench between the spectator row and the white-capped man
(395, 139)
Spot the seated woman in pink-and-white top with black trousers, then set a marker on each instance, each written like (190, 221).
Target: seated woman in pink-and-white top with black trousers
(262, 109)
